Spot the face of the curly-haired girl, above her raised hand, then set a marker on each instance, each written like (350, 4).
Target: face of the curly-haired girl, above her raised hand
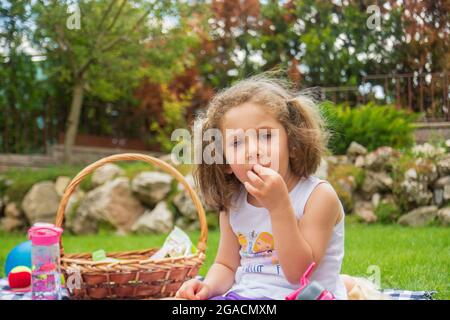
(253, 135)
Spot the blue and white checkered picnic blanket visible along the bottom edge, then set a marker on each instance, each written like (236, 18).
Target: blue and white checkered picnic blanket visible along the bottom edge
(7, 294)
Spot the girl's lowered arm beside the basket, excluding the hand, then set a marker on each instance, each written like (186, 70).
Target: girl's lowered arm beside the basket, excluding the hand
(220, 276)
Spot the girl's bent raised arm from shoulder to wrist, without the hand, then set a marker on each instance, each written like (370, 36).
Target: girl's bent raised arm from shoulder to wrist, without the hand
(300, 243)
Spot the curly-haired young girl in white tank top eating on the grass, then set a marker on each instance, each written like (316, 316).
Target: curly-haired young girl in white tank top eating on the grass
(276, 217)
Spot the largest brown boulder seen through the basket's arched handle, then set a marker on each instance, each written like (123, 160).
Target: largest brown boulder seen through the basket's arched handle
(112, 202)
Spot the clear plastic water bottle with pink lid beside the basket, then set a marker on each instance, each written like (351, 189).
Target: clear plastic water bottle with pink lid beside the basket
(46, 271)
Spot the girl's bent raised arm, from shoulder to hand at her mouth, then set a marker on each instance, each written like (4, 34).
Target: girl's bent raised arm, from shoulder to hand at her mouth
(297, 244)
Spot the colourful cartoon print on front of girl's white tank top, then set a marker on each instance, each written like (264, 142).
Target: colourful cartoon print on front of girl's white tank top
(258, 254)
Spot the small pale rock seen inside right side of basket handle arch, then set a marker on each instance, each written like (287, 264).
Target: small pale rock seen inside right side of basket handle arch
(159, 220)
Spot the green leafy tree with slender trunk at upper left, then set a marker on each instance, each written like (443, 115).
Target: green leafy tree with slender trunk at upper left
(116, 45)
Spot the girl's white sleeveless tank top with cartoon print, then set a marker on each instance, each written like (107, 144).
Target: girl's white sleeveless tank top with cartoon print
(259, 273)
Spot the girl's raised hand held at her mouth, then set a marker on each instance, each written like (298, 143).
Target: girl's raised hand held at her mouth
(268, 187)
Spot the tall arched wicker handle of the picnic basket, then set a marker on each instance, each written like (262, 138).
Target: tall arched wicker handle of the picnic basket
(201, 245)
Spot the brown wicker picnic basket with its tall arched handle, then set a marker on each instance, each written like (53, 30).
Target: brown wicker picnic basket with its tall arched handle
(135, 275)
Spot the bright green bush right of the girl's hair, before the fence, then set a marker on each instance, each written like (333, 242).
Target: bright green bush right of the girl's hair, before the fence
(371, 125)
